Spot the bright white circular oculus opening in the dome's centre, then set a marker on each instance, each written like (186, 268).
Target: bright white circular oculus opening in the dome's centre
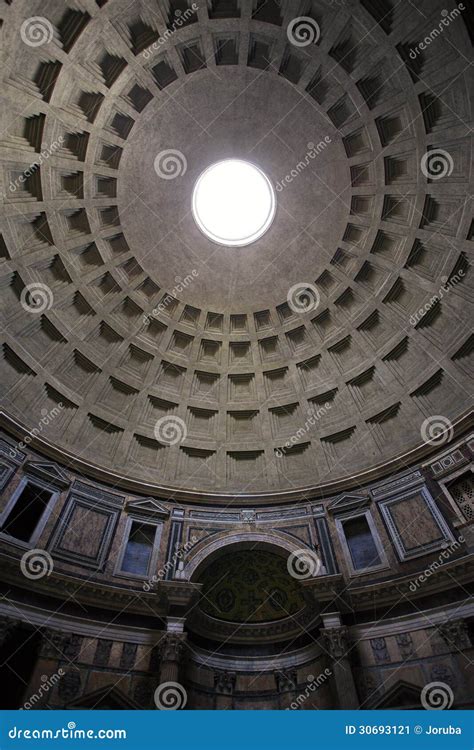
(233, 203)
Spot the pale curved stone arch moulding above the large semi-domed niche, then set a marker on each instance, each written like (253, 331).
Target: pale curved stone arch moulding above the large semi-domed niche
(204, 552)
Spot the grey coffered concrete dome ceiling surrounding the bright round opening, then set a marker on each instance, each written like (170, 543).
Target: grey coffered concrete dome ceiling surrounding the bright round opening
(132, 341)
